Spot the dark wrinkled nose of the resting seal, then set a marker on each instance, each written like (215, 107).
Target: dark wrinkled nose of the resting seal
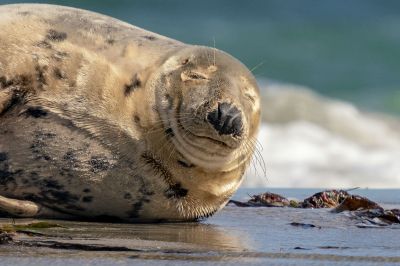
(226, 119)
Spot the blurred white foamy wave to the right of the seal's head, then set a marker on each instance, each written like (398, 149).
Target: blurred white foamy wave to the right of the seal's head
(310, 141)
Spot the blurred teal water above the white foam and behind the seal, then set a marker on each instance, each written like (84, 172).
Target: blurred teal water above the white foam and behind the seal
(348, 49)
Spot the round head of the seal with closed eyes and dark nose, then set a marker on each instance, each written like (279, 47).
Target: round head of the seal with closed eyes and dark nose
(210, 101)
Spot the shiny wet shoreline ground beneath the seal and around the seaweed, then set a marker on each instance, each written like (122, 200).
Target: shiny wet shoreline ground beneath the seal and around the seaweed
(235, 235)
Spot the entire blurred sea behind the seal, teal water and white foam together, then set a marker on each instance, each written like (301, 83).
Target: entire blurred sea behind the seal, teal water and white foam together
(329, 73)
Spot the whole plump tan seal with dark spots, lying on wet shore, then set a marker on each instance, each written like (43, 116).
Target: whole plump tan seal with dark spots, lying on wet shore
(103, 120)
